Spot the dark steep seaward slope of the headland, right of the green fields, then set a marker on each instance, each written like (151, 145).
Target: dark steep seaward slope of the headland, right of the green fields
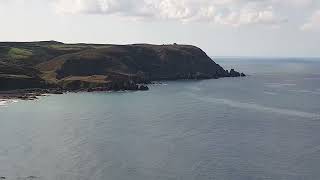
(154, 62)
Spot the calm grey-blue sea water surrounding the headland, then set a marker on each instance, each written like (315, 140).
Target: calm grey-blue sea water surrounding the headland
(264, 126)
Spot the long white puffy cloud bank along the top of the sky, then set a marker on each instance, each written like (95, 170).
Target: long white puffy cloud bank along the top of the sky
(229, 12)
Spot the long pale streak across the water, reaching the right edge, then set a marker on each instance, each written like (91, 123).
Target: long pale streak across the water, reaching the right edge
(258, 107)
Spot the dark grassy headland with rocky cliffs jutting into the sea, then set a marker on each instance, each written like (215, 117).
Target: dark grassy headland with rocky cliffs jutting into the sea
(113, 67)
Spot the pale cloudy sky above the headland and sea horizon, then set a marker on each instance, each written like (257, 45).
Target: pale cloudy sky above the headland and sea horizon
(220, 27)
